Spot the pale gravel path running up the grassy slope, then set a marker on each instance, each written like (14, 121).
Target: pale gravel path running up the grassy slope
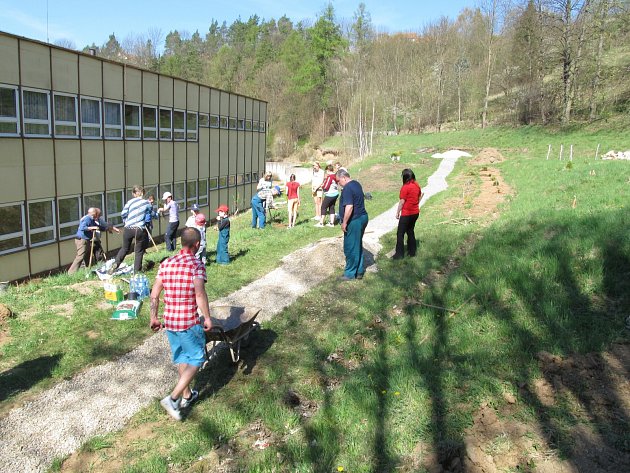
(102, 399)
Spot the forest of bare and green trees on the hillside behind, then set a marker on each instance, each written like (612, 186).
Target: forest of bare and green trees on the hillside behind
(501, 62)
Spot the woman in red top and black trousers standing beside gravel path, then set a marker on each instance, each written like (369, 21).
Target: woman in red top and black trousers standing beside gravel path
(407, 214)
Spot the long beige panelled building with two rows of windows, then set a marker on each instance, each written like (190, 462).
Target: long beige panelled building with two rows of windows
(78, 131)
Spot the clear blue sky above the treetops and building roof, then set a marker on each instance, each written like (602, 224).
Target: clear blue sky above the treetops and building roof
(84, 22)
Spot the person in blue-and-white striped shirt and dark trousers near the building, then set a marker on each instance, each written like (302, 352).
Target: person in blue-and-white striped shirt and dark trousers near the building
(134, 214)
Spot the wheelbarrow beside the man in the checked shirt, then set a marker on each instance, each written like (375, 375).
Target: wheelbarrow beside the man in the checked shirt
(231, 325)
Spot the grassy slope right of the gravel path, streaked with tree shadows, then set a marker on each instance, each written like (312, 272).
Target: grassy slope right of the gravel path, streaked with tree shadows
(387, 378)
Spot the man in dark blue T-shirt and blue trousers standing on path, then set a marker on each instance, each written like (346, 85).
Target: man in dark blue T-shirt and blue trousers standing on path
(354, 219)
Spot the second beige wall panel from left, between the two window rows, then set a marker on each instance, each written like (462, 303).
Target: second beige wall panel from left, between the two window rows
(40, 169)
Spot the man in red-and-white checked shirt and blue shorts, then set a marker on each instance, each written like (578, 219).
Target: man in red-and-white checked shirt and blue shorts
(183, 277)
